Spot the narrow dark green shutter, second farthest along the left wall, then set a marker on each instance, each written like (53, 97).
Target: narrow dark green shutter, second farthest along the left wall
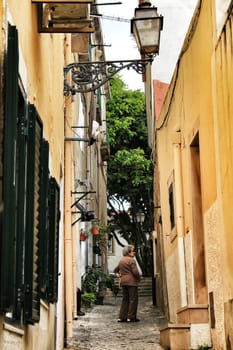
(43, 221)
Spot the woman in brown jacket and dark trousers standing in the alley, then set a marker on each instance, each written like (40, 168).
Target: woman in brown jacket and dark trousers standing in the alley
(129, 277)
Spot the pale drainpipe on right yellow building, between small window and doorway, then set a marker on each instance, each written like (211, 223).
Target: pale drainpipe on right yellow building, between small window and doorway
(180, 220)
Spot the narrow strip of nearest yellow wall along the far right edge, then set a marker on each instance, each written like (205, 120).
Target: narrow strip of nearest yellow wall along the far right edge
(222, 90)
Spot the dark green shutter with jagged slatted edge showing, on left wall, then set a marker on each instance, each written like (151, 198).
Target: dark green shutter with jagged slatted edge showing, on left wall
(32, 293)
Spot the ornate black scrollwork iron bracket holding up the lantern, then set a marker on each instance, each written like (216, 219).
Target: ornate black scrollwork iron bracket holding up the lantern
(89, 76)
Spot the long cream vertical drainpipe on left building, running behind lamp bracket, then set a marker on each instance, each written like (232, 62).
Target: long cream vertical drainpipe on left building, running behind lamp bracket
(67, 209)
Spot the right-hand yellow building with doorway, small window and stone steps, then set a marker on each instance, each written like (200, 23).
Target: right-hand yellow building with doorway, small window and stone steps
(194, 185)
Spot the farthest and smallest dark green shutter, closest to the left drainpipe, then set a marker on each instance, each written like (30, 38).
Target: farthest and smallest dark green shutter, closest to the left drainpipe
(54, 217)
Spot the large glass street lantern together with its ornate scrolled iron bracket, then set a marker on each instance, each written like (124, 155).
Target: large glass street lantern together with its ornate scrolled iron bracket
(89, 76)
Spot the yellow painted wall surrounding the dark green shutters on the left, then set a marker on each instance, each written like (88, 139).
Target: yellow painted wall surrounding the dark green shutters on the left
(41, 62)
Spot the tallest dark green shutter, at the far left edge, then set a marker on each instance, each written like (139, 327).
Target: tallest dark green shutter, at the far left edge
(9, 172)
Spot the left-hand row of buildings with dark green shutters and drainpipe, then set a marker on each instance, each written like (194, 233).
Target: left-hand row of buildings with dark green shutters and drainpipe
(50, 160)
